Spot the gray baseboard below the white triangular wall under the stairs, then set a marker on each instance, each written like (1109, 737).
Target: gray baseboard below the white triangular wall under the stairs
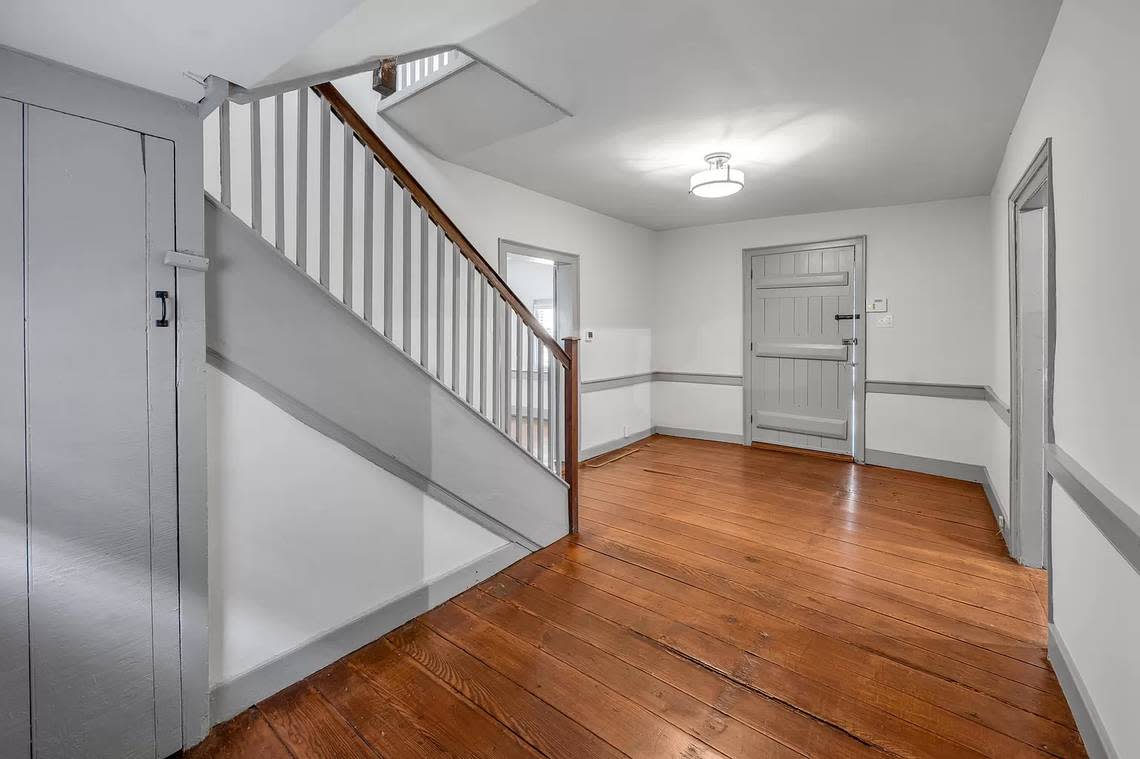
(229, 699)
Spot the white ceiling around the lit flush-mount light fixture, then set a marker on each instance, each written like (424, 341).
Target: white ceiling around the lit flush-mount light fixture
(825, 104)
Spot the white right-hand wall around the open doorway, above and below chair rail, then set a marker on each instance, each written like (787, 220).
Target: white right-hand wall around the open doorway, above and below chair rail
(1084, 97)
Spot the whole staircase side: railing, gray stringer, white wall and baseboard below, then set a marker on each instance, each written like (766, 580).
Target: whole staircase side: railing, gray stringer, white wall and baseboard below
(368, 443)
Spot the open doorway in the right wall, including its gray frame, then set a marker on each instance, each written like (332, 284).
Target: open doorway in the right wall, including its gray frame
(1032, 301)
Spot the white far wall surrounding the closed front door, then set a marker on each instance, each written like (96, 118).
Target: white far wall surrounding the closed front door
(931, 260)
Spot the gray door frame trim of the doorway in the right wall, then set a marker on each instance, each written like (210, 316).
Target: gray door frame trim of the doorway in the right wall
(1038, 175)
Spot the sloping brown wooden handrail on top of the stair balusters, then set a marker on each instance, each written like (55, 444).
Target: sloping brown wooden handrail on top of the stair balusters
(348, 115)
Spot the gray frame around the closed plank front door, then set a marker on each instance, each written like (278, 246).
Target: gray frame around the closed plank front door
(859, 385)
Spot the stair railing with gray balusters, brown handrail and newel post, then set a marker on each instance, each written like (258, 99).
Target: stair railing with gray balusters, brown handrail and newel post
(307, 173)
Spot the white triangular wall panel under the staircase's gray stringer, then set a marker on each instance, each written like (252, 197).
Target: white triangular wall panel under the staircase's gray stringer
(305, 535)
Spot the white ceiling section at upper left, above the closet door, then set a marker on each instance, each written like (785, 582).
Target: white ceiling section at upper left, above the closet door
(152, 43)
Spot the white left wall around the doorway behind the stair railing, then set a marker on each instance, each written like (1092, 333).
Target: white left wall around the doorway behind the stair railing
(617, 262)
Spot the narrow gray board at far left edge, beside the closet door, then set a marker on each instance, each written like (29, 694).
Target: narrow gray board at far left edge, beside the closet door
(15, 719)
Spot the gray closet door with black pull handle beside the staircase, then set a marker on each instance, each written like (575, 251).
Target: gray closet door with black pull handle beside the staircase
(101, 448)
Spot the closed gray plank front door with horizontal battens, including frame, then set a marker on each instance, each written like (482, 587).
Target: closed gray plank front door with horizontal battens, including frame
(803, 346)
